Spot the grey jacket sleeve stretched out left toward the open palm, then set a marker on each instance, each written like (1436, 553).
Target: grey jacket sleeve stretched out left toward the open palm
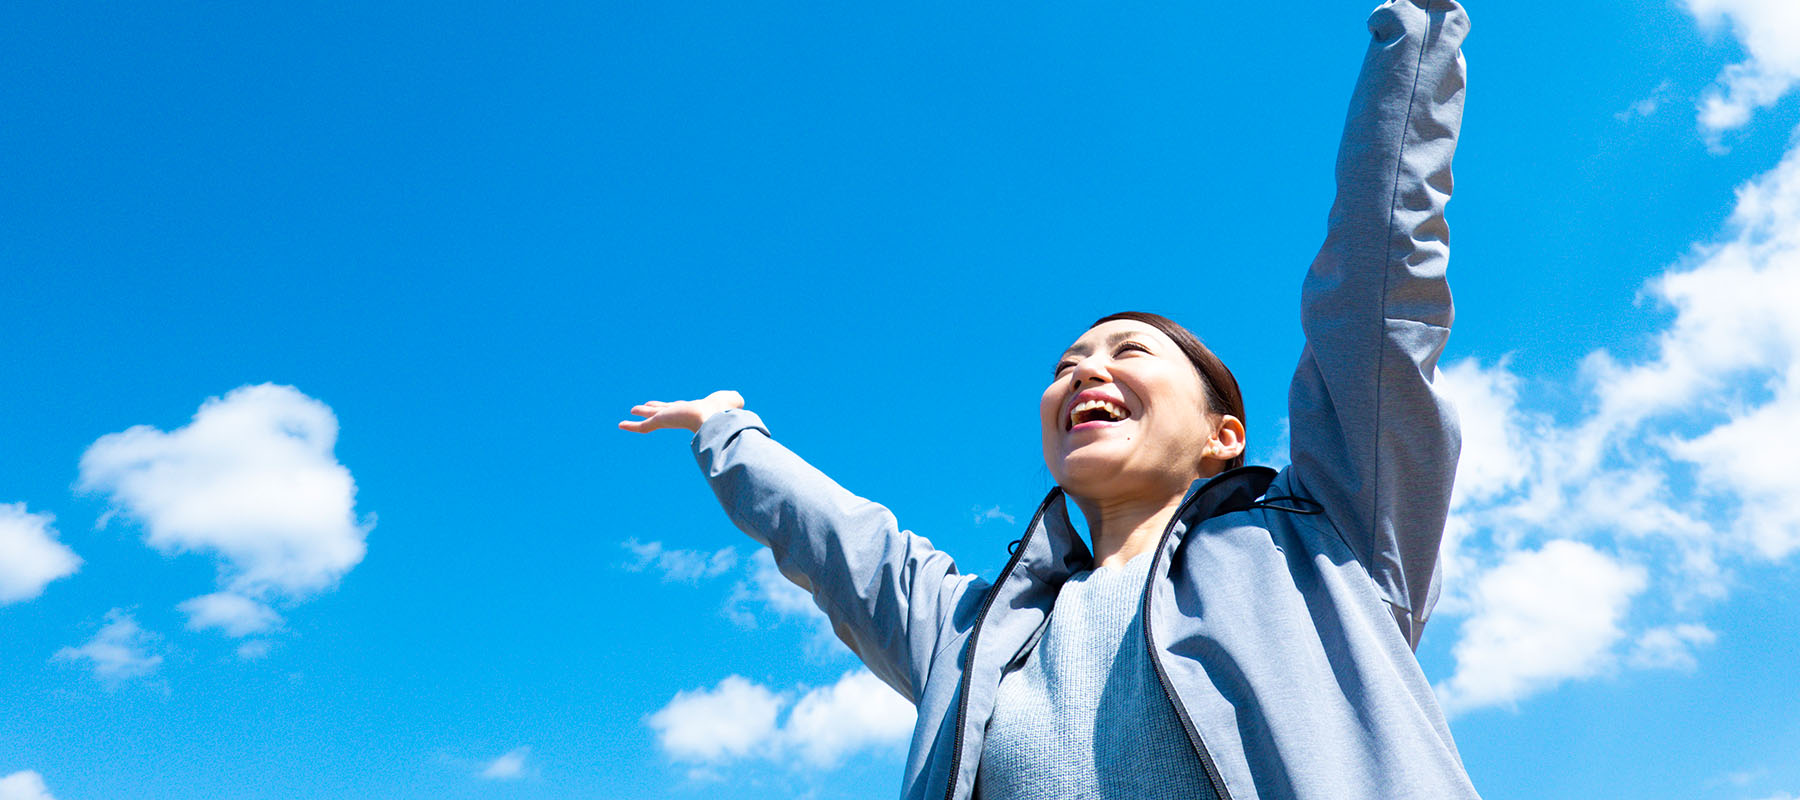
(886, 592)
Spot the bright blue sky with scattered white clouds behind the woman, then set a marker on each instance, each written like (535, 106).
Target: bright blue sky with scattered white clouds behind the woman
(318, 323)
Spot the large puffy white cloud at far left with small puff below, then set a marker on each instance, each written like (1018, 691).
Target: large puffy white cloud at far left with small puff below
(251, 480)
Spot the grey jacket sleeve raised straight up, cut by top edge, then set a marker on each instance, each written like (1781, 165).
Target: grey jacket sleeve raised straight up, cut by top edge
(1372, 441)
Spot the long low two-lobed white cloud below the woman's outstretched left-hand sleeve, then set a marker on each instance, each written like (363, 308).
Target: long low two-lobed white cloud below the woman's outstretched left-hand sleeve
(742, 720)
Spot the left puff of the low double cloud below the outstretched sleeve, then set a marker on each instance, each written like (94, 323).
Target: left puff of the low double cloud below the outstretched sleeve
(730, 722)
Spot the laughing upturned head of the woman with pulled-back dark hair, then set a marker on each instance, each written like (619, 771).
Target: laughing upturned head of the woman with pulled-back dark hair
(1126, 415)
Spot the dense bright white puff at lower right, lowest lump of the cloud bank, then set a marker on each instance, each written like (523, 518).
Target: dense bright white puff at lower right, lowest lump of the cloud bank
(1540, 619)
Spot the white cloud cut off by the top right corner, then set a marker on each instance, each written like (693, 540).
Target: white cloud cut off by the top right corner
(1768, 32)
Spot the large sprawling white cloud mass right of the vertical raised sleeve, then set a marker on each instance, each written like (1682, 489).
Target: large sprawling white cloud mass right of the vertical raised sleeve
(1677, 462)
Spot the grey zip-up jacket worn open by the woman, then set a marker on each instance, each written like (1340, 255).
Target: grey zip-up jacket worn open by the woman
(1282, 610)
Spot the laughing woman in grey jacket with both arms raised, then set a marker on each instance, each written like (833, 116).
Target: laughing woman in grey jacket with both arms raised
(1225, 632)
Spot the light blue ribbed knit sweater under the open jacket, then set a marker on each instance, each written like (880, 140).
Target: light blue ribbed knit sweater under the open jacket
(1084, 716)
